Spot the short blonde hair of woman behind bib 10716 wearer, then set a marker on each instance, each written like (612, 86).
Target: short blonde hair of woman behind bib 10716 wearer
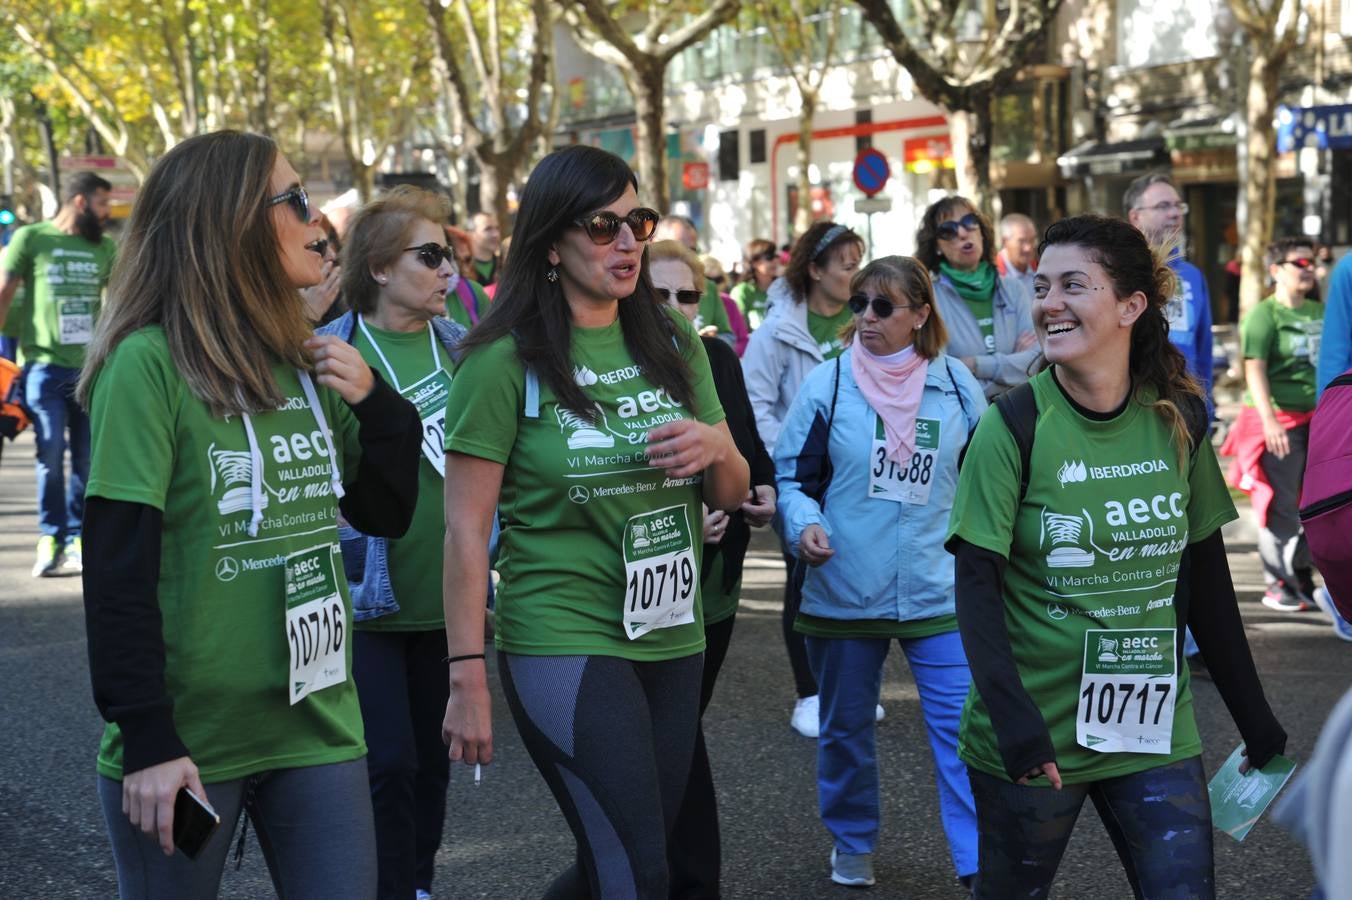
(379, 234)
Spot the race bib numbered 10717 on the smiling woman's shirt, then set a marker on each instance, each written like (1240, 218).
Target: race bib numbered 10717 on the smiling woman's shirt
(1128, 690)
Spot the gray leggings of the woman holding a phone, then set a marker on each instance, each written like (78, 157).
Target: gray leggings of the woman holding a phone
(314, 826)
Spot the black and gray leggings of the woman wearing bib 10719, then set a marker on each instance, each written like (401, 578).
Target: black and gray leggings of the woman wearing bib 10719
(614, 741)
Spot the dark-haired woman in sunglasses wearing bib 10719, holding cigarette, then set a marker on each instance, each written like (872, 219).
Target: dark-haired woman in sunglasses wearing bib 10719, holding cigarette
(587, 411)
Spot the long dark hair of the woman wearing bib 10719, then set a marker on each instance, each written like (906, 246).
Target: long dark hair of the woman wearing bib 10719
(567, 186)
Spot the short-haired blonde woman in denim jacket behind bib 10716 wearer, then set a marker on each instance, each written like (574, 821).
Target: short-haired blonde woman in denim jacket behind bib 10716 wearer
(395, 289)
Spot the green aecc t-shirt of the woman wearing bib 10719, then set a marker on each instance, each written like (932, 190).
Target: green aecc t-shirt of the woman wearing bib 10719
(586, 522)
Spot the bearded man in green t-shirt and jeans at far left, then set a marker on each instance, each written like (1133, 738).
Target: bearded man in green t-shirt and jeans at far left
(64, 266)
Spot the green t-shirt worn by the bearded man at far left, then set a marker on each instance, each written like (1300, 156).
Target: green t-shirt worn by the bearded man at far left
(66, 278)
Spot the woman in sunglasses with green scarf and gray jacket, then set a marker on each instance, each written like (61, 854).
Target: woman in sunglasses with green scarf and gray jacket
(989, 326)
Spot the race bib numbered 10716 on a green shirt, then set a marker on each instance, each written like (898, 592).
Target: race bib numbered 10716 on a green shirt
(317, 624)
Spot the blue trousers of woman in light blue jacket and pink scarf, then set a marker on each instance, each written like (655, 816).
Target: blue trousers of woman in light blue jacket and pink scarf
(850, 675)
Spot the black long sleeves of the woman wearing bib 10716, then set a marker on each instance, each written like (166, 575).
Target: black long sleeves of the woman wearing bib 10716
(122, 547)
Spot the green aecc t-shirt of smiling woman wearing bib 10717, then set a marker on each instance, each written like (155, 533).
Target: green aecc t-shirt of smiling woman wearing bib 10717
(1093, 559)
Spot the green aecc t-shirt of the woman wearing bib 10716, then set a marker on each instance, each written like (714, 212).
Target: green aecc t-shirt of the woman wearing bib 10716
(224, 594)
